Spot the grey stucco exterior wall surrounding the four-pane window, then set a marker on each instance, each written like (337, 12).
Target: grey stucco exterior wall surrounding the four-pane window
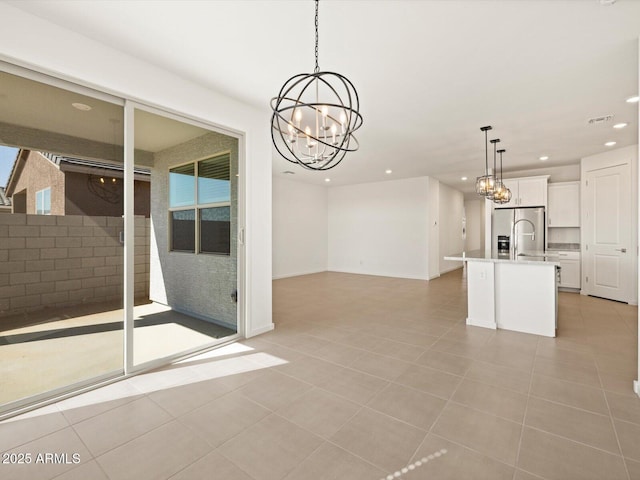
(199, 284)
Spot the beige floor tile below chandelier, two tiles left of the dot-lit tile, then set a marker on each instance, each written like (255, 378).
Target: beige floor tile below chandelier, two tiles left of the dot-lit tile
(319, 411)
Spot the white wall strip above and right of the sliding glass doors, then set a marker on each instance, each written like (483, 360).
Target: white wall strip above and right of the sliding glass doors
(49, 48)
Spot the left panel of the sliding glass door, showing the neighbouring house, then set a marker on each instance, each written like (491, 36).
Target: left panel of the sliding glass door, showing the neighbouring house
(61, 252)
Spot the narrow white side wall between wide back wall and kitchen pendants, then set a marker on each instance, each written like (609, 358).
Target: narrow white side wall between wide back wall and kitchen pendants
(451, 211)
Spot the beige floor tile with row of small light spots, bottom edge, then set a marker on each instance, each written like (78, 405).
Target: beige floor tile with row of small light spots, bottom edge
(454, 462)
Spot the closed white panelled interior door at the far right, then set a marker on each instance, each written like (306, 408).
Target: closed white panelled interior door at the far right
(608, 248)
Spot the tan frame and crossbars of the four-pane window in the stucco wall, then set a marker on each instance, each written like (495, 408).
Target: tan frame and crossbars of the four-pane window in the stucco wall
(197, 207)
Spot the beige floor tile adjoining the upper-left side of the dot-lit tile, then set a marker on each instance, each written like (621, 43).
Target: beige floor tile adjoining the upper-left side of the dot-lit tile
(384, 441)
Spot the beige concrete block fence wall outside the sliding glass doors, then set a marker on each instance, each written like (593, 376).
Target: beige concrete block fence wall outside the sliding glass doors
(56, 261)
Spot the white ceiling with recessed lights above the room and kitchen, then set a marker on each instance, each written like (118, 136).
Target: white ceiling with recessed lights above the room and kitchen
(429, 73)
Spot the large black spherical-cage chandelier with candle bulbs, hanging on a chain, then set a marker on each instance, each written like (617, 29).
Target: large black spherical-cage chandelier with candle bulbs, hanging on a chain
(314, 117)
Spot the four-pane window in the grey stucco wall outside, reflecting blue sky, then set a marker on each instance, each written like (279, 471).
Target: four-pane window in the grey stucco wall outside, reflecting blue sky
(200, 206)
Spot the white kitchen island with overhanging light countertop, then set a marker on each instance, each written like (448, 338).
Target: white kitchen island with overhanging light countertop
(512, 293)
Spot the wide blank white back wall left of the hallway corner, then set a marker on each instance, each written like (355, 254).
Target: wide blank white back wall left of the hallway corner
(380, 228)
